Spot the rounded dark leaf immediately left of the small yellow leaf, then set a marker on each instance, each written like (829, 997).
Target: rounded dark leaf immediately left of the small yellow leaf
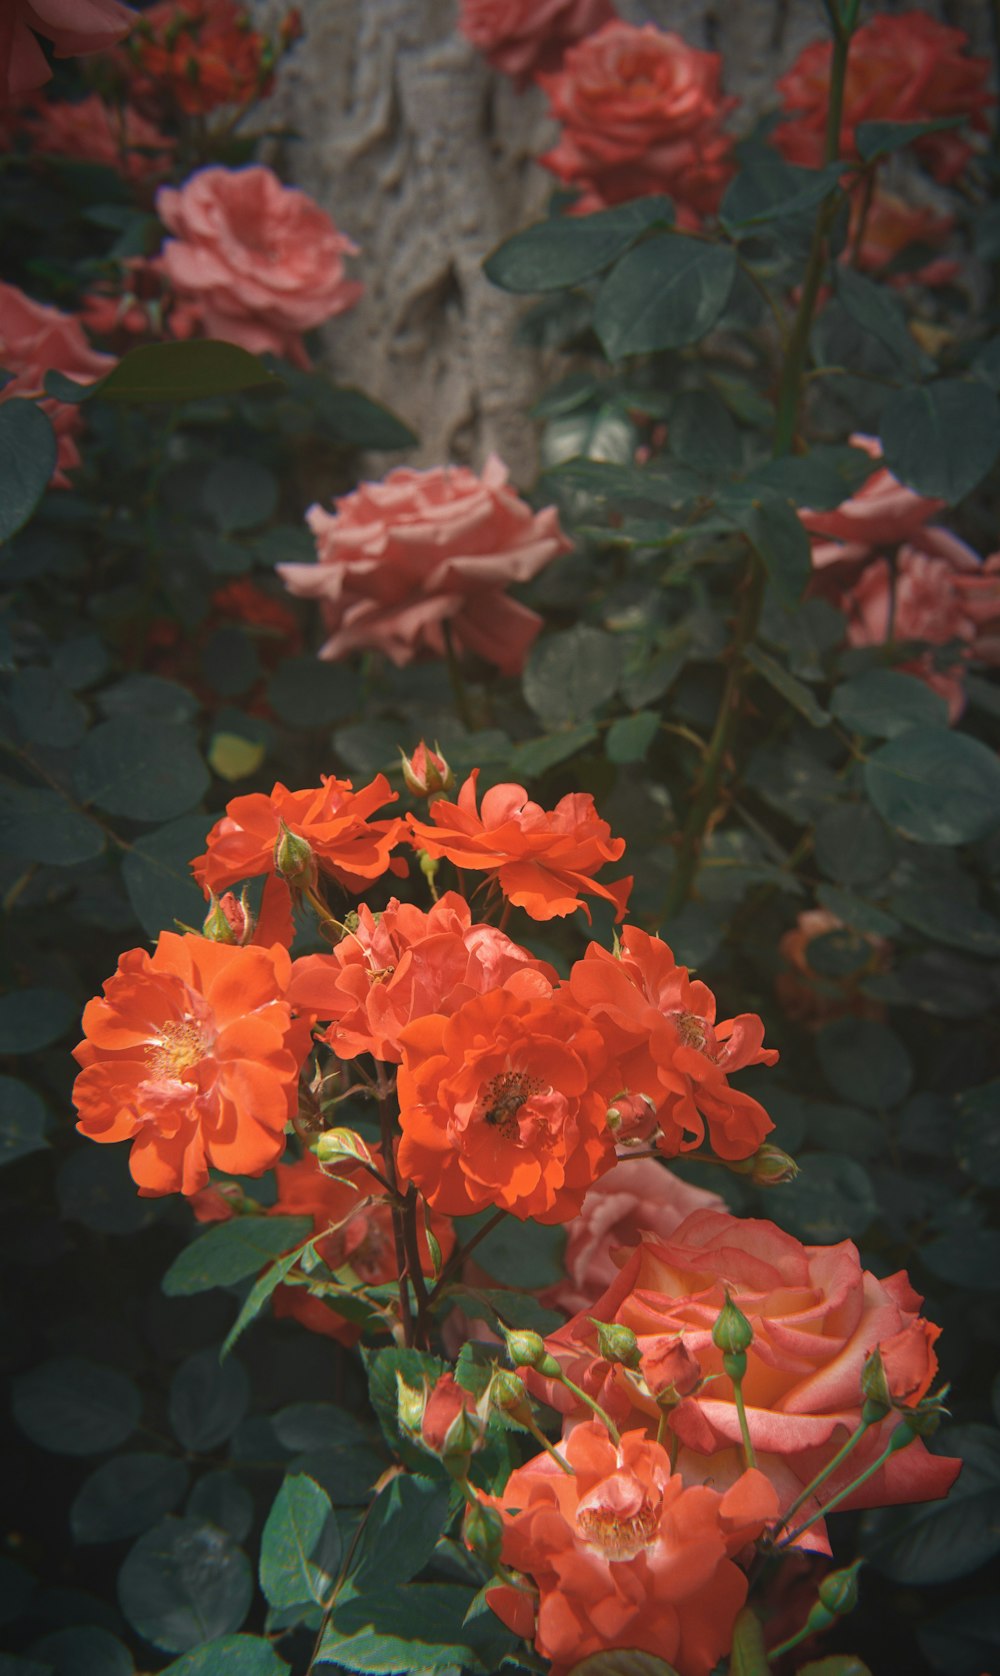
(147, 773)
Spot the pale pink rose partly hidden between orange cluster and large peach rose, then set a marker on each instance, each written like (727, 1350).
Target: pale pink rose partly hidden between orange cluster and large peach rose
(641, 1196)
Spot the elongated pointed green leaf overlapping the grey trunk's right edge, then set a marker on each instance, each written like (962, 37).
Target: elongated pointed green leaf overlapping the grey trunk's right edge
(567, 251)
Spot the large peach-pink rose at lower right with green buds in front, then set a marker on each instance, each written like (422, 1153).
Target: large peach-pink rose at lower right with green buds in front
(817, 1316)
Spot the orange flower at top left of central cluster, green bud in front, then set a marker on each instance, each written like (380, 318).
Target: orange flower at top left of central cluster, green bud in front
(259, 832)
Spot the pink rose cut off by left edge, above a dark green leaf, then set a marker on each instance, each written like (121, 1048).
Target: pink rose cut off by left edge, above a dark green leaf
(34, 341)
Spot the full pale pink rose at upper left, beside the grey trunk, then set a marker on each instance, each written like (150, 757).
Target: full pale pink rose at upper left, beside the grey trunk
(262, 262)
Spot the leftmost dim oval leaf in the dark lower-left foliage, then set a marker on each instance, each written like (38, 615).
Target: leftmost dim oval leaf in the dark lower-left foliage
(76, 1407)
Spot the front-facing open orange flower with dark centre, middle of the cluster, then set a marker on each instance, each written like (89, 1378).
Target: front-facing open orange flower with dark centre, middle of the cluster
(498, 1107)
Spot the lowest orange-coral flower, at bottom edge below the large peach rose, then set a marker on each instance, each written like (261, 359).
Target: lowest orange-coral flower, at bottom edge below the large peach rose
(626, 1556)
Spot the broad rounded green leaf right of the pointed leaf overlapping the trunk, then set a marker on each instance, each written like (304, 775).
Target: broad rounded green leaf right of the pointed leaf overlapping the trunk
(666, 294)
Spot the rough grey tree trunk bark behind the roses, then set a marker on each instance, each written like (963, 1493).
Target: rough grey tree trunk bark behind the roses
(425, 158)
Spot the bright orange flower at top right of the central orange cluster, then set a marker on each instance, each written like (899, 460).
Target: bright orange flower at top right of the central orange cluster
(544, 861)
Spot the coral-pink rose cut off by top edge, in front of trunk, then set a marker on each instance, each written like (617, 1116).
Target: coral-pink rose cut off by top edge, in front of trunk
(523, 38)
